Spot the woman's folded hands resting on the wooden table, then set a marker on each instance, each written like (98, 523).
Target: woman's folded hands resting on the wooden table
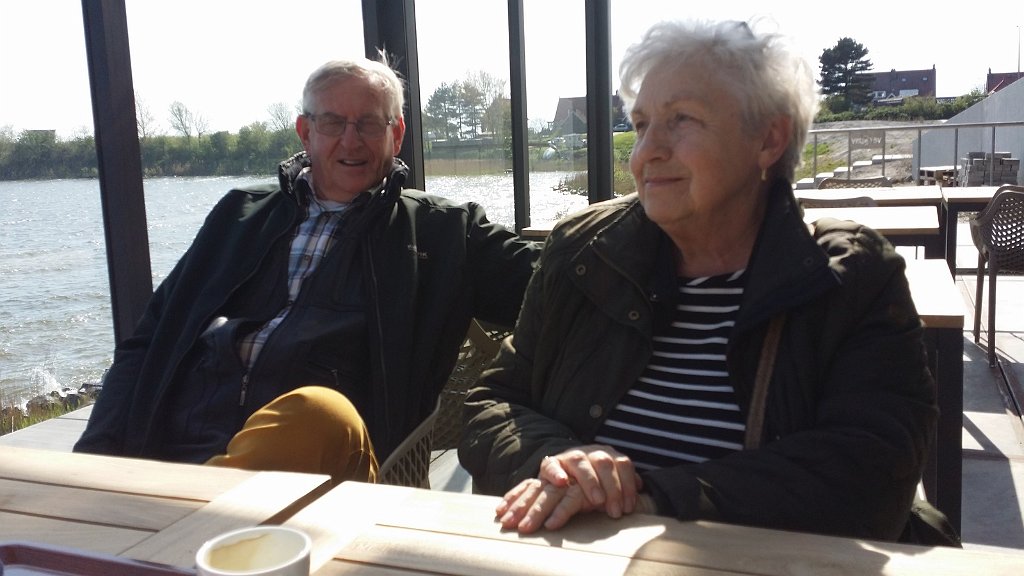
(585, 479)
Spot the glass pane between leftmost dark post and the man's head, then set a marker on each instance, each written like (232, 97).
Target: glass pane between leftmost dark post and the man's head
(219, 87)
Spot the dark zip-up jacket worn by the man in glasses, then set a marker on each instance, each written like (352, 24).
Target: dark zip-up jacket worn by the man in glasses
(429, 266)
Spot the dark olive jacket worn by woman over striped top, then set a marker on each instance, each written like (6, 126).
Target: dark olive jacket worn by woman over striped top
(851, 408)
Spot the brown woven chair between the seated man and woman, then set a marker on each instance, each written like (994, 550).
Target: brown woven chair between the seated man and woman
(410, 464)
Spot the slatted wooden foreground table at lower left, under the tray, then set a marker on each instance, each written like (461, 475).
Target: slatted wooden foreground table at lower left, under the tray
(142, 510)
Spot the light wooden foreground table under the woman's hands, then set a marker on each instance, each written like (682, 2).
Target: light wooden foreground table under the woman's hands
(376, 529)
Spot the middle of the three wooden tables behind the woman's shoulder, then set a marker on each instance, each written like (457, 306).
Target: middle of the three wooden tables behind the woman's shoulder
(903, 226)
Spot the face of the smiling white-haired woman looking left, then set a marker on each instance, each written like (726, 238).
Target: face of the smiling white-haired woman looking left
(694, 160)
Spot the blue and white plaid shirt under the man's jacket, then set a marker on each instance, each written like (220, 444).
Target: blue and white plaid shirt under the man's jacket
(314, 238)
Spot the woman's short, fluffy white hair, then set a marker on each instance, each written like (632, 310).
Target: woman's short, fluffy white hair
(769, 78)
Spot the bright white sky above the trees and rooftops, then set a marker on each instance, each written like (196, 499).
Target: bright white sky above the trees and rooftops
(229, 61)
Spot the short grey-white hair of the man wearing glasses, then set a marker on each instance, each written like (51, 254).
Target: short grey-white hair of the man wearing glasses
(378, 73)
